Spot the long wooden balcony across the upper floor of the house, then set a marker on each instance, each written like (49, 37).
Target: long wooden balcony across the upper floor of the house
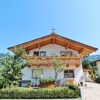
(48, 60)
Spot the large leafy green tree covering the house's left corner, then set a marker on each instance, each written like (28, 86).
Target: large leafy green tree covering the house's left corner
(11, 66)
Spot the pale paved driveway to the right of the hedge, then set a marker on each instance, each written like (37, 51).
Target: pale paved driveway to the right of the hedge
(92, 91)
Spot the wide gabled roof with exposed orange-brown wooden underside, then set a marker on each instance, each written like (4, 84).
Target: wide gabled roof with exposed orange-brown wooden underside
(53, 38)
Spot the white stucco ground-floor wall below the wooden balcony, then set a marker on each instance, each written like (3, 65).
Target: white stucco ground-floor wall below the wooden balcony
(49, 72)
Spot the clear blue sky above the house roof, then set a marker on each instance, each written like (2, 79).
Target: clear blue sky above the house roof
(25, 20)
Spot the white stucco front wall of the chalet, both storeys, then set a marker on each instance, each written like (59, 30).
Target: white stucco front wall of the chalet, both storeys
(49, 71)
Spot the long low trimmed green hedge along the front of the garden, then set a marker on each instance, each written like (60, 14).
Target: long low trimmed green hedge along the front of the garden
(46, 93)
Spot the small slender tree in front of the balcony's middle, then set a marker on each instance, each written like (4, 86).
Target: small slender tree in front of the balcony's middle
(57, 65)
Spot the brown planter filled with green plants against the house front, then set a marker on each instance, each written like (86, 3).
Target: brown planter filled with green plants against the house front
(47, 82)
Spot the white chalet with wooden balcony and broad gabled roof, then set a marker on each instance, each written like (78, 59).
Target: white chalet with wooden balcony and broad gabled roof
(41, 51)
